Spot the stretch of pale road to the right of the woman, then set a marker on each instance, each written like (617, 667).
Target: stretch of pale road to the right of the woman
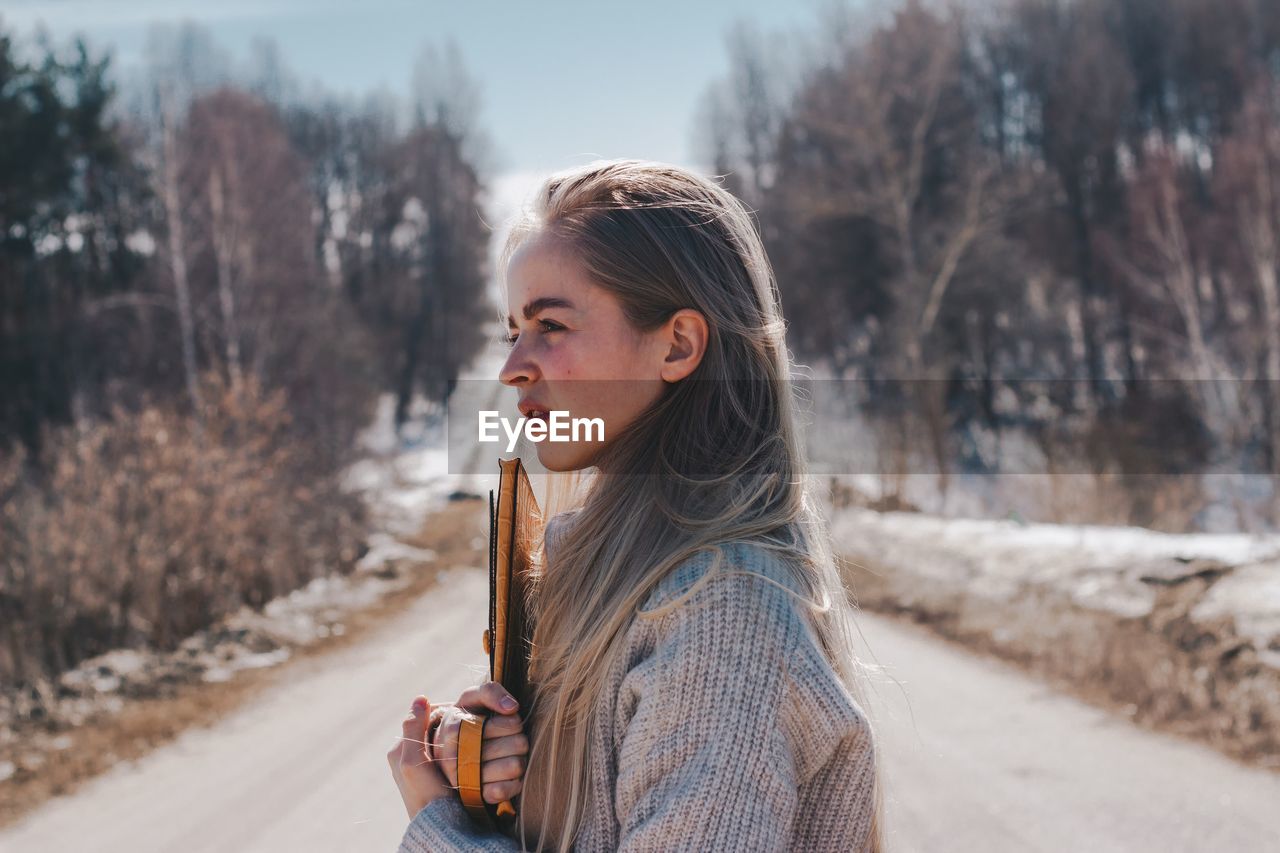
(985, 759)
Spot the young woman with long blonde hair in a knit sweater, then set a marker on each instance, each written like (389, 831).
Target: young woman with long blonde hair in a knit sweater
(697, 685)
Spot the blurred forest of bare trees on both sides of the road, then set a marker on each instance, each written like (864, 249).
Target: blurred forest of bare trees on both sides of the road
(1058, 220)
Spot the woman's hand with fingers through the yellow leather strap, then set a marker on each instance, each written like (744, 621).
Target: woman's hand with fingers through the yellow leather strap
(504, 750)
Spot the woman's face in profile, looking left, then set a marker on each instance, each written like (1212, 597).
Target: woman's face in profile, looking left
(574, 350)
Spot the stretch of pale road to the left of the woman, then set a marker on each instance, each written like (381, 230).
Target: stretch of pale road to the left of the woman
(301, 769)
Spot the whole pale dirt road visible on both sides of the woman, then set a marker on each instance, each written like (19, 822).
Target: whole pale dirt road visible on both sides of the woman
(982, 760)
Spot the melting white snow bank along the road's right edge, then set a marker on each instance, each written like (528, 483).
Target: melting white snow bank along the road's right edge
(1100, 568)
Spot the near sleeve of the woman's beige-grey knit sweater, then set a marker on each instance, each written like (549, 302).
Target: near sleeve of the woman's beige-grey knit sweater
(706, 763)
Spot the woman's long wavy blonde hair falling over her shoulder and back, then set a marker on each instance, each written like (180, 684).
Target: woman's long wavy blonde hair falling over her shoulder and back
(716, 459)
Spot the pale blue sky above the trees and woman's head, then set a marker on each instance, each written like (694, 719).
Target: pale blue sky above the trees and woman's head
(561, 83)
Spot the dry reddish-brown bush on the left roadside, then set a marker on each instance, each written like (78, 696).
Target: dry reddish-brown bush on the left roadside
(147, 528)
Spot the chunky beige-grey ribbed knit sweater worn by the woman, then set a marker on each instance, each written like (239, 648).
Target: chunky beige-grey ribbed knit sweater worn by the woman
(723, 727)
